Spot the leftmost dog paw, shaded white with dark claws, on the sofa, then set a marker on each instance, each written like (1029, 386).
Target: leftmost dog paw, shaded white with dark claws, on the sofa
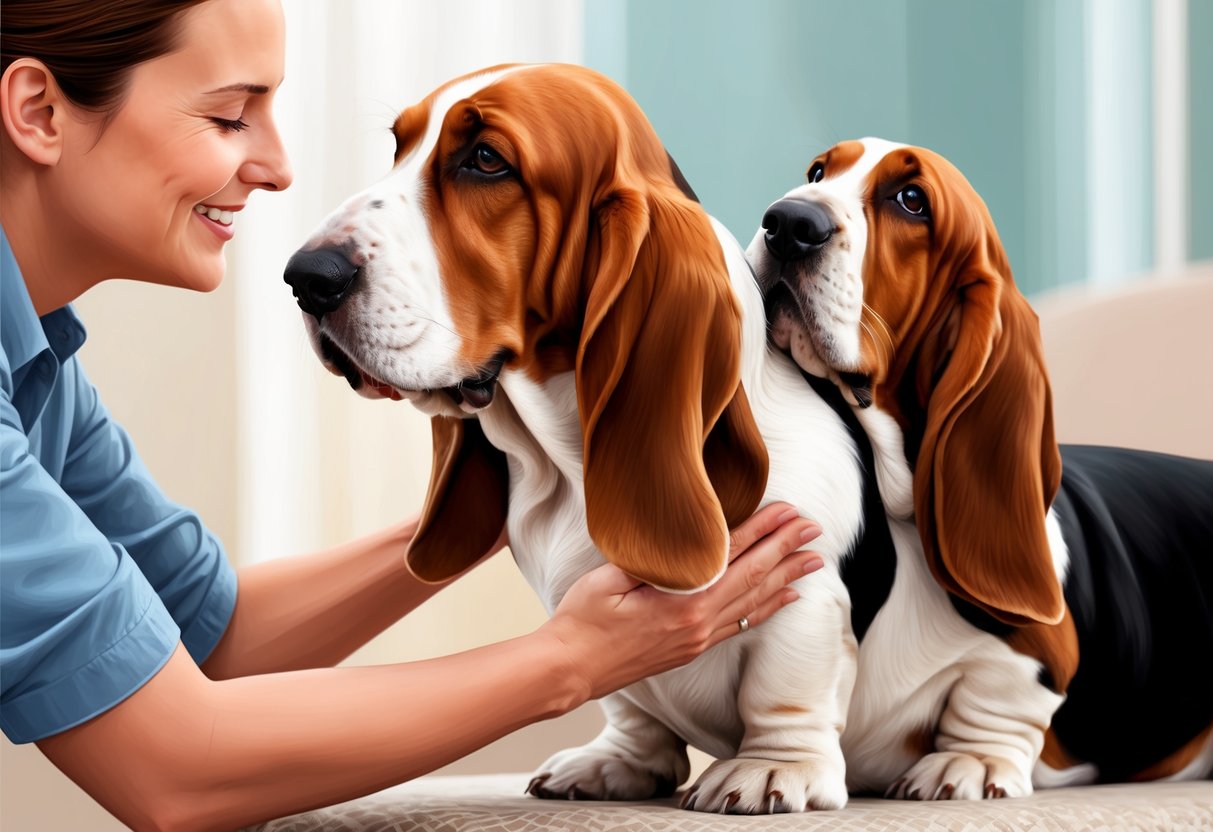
(596, 774)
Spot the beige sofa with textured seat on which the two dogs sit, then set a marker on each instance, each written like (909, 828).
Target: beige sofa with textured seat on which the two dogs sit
(1131, 367)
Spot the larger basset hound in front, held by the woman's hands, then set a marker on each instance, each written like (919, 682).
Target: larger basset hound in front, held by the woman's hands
(537, 276)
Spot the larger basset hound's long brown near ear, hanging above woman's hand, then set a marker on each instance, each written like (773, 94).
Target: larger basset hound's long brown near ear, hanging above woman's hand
(673, 455)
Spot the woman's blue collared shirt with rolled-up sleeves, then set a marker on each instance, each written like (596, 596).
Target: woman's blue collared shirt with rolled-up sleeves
(101, 575)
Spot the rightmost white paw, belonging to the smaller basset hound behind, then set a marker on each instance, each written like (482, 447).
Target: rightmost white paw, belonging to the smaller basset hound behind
(954, 776)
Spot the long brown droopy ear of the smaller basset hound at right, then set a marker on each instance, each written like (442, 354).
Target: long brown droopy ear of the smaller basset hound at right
(989, 465)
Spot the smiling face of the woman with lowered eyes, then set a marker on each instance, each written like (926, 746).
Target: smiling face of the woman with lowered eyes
(161, 191)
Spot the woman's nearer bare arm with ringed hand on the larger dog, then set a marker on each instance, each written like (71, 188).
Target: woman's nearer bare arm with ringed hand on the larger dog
(189, 753)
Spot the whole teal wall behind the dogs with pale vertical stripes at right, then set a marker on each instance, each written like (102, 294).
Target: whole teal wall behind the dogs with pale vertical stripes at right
(745, 94)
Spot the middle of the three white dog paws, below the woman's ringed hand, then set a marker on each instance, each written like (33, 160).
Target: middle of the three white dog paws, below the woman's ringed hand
(766, 787)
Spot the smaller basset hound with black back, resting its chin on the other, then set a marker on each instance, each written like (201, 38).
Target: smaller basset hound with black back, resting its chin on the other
(1051, 619)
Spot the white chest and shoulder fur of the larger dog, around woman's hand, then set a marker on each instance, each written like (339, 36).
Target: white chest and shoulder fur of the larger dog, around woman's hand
(813, 466)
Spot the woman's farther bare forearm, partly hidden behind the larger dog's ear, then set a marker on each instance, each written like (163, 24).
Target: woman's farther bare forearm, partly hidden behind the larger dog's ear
(315, 611)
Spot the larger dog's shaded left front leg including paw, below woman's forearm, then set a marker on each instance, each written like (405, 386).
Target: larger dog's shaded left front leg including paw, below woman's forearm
(634, 759)
